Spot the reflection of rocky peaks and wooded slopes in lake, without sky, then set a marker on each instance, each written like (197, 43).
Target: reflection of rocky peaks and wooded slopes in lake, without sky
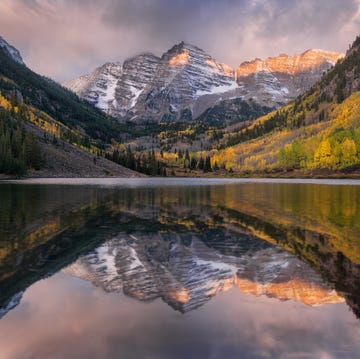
(183, 245)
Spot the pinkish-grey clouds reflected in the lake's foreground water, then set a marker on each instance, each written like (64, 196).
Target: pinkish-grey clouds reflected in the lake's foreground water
(64, 317)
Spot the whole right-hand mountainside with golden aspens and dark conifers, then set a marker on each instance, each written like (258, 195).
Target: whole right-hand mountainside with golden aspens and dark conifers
(316, 134)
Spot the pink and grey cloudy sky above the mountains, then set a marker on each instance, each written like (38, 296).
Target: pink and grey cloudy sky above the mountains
(66, 38)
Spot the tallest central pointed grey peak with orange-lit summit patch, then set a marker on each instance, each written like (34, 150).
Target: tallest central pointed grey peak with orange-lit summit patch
(185, 75)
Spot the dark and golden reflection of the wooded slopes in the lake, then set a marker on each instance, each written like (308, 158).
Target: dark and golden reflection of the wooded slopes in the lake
(44, 228)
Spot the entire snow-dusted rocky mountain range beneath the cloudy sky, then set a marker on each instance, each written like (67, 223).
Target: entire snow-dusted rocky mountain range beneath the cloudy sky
(186, 81)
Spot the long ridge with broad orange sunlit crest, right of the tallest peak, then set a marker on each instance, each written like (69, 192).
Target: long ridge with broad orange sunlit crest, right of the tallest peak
(276, 80)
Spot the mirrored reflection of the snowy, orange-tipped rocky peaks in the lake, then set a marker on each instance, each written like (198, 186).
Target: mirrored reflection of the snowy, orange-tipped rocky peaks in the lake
(185, 271)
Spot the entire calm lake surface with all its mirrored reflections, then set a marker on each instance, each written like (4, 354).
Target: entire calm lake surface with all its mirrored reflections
(179, 268)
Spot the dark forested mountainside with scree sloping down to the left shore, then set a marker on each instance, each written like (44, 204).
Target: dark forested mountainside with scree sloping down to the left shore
(47, 129)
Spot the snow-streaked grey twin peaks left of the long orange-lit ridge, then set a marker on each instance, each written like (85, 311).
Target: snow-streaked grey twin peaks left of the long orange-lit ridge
(152, 88)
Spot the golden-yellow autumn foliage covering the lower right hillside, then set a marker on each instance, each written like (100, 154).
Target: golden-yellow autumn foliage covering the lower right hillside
(329, 144)
